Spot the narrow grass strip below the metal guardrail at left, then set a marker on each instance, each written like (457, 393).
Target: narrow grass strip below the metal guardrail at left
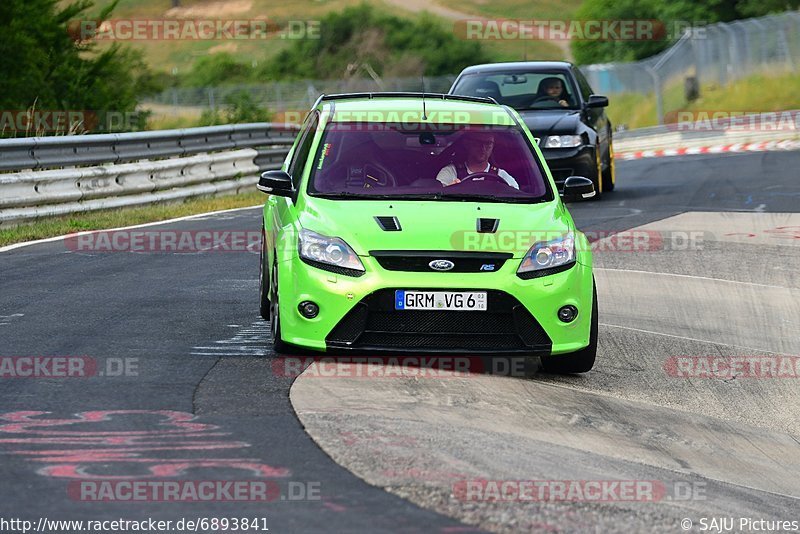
(114, 218)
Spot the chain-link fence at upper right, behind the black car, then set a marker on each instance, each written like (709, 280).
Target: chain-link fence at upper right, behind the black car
(718, 53)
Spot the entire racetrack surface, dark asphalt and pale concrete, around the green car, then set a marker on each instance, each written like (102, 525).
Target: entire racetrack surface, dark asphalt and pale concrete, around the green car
(205, 400)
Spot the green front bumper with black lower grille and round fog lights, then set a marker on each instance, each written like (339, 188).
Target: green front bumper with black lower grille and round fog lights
(358, 313)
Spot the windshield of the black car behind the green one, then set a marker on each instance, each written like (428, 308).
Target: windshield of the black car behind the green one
(522, 90)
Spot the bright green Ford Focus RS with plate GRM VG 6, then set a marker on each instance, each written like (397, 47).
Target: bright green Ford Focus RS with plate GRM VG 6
(403, 223)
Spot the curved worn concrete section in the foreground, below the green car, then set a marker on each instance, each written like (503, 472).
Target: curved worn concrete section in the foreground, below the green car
(422, 439)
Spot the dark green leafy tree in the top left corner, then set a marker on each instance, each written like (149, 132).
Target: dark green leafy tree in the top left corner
(46, 66)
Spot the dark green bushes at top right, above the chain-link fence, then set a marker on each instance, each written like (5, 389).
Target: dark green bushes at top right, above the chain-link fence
(672, 16)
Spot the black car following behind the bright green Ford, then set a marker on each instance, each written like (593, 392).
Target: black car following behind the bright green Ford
(559, 107)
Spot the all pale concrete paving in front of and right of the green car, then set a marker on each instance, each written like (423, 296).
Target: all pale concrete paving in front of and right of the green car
(695, 387)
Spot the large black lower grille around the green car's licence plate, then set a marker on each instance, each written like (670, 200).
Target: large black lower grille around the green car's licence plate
(374, 324)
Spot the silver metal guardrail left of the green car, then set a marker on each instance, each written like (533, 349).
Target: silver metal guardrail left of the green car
(70, 174)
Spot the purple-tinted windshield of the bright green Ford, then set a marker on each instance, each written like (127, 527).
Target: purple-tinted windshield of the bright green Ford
(441, 162)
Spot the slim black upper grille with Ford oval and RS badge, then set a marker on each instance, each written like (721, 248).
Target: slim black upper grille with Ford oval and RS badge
(419, 261)
